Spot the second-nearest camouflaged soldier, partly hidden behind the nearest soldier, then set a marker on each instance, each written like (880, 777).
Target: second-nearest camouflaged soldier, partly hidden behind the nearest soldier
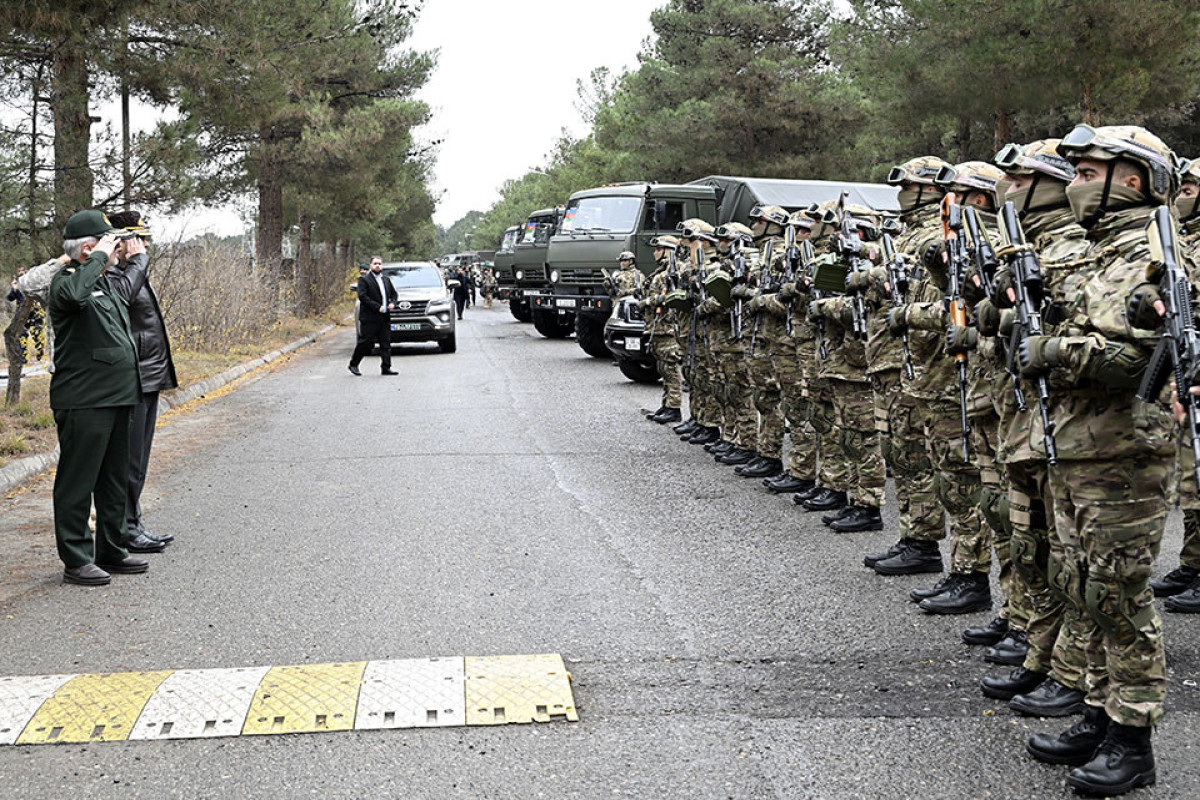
(1049, 679)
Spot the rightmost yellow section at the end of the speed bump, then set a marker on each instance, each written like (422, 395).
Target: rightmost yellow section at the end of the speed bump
(502, 690)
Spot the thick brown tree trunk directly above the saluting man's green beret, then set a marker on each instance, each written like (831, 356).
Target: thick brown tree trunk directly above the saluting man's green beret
(73, 131)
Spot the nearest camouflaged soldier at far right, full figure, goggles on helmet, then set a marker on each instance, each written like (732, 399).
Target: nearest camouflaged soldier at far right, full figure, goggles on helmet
(1113, 498)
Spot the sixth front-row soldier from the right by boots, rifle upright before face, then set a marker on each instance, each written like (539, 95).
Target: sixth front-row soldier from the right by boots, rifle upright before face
(854, 400)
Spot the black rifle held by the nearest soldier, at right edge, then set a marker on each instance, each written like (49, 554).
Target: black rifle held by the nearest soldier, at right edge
(1180, 347)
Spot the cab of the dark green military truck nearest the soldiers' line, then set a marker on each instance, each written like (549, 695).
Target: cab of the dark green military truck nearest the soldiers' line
(597, 226)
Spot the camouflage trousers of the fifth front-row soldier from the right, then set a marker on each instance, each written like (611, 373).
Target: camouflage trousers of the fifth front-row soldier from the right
(899, 419)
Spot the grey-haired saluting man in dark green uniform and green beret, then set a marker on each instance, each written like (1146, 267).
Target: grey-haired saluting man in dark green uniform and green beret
(93, 395)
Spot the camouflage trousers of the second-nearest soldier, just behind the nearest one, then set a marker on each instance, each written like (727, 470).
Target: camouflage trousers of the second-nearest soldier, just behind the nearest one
(1058, 642)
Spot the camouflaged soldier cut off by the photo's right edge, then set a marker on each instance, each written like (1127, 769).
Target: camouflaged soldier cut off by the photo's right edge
(1181, 586)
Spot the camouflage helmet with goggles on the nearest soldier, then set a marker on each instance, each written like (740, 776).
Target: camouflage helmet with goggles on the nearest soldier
(1130, 142)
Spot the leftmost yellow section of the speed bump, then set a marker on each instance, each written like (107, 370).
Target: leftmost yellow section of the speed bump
(93, 708)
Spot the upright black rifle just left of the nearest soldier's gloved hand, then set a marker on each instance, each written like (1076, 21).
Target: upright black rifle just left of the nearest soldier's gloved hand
(1029, 286)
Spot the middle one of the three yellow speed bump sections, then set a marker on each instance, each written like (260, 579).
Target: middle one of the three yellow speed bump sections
(307, 700)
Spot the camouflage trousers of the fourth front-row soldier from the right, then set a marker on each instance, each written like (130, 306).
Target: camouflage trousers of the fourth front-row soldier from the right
(958, 486)
